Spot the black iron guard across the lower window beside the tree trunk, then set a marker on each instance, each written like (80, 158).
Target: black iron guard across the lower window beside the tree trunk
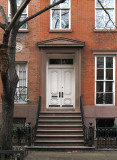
(20, 94)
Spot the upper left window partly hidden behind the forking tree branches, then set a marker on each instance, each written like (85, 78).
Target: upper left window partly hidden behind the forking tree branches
(23, 16)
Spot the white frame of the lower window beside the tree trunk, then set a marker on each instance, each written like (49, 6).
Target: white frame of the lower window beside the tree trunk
(17, 70)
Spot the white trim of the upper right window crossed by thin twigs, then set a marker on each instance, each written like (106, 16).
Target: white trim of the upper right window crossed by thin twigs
(114, 20)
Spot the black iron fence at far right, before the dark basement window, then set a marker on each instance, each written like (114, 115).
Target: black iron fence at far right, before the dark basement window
(106, 137)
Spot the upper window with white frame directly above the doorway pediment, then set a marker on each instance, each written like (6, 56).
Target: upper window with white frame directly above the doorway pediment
(60, 15)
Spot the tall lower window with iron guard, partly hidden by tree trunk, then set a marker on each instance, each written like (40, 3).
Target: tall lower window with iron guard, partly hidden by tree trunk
(21, 90)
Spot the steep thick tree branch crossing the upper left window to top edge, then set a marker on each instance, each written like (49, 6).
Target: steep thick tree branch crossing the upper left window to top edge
(18, 14)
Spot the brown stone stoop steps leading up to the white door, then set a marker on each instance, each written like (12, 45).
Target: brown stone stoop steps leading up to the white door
(59, 131)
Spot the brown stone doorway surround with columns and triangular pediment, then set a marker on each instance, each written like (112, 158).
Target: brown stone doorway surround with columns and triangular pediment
(61, 46)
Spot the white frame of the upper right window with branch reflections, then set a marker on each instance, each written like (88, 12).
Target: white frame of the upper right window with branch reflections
(99, 8)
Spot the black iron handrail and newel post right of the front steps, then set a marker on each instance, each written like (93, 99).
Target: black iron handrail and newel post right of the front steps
(88, 132)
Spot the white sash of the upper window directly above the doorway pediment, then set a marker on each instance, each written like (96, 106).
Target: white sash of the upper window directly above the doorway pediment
(62, 23)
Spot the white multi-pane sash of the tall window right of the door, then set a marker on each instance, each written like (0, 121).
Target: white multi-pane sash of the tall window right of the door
(106, 87)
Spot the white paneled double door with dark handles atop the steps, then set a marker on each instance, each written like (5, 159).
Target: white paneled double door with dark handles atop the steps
(61, 87)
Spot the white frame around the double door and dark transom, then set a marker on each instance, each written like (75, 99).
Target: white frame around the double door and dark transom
(66, 56)
